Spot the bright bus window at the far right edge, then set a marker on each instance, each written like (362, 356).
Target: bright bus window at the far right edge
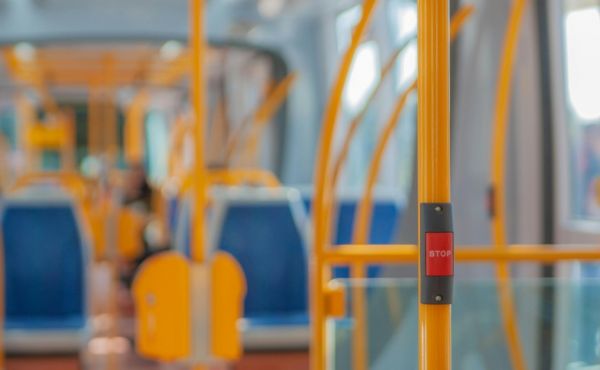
(581, 27)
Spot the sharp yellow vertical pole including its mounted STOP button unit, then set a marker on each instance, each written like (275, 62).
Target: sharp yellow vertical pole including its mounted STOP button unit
(434, 184)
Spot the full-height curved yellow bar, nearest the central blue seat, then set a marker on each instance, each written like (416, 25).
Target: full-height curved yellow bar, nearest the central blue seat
(322, 200)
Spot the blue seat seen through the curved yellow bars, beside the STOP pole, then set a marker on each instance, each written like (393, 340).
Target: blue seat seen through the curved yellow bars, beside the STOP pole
(387, 211)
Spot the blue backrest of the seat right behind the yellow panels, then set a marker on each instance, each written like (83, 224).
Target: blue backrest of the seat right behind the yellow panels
(266, 240)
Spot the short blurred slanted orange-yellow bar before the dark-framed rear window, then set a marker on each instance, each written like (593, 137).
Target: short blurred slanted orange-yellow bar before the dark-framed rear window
(261, 116)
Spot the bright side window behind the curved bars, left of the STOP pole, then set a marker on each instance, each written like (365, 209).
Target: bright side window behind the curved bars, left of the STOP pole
(380, 43)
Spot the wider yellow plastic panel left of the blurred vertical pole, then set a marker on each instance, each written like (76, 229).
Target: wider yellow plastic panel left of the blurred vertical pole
(161, 293)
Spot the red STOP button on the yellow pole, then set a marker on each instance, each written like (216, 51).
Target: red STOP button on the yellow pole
(439, 250)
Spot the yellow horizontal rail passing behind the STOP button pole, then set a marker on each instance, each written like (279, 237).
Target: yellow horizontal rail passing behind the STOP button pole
(401, 254)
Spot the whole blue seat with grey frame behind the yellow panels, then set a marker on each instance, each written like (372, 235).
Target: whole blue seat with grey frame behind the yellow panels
(265, 231)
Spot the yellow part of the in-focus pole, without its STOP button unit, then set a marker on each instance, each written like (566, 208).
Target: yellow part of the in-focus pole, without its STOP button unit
(433, 163)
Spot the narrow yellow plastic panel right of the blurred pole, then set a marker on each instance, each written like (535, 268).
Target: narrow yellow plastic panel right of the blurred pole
(227, 296)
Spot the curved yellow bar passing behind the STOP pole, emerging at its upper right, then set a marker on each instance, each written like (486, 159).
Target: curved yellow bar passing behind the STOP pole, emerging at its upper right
(365, 208)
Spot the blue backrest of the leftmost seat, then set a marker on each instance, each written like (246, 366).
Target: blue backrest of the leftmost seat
(44, 267)
